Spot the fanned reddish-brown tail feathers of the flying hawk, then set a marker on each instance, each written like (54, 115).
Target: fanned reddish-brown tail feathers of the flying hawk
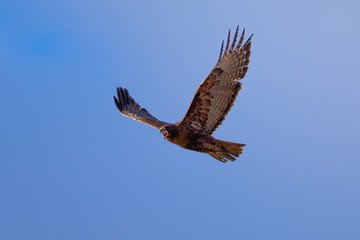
(227, 151)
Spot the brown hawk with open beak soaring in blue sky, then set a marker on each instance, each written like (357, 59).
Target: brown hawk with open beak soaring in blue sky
(212, 101)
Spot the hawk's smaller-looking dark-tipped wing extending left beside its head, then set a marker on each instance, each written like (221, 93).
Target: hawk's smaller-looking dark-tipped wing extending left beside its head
(128, 107)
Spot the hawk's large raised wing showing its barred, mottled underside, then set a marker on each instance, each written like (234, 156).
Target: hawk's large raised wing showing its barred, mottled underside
(216, 94)
